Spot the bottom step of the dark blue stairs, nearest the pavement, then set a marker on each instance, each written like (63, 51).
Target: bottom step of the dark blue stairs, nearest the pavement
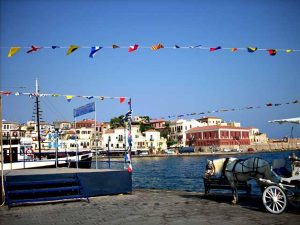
(47, 200)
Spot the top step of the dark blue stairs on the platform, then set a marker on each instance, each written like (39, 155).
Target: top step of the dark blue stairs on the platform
(40, 182)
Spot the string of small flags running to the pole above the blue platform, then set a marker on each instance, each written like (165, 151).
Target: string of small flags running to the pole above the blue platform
(68, 97)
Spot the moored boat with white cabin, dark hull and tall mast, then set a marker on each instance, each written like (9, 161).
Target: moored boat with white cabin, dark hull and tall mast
(18, 151)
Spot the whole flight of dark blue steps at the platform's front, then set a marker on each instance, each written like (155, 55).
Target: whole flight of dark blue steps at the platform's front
(43, 191)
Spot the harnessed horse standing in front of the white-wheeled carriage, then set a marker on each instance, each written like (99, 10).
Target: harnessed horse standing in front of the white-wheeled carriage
(240, 170)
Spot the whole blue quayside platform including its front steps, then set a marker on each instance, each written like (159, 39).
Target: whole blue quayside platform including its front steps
(46, 185)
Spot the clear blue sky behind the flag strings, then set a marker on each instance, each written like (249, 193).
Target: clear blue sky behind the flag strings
(161, 83)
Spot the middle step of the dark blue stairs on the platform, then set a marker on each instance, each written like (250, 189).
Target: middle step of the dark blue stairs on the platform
(43, 190)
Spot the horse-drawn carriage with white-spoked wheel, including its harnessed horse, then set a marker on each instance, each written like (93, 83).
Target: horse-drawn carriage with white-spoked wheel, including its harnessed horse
(278, 184)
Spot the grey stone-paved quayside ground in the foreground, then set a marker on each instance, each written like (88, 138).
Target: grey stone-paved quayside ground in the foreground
(149, 207)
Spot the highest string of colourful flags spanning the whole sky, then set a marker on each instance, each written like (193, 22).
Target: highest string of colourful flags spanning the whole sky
(95, 49)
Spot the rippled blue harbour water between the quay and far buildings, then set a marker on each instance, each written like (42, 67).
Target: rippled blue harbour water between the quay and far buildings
(181, 172)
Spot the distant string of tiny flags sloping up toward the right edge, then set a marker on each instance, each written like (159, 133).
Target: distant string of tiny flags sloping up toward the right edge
(268, 105)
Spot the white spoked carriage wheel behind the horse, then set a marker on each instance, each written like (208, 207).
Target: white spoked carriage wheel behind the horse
(274, 199)
